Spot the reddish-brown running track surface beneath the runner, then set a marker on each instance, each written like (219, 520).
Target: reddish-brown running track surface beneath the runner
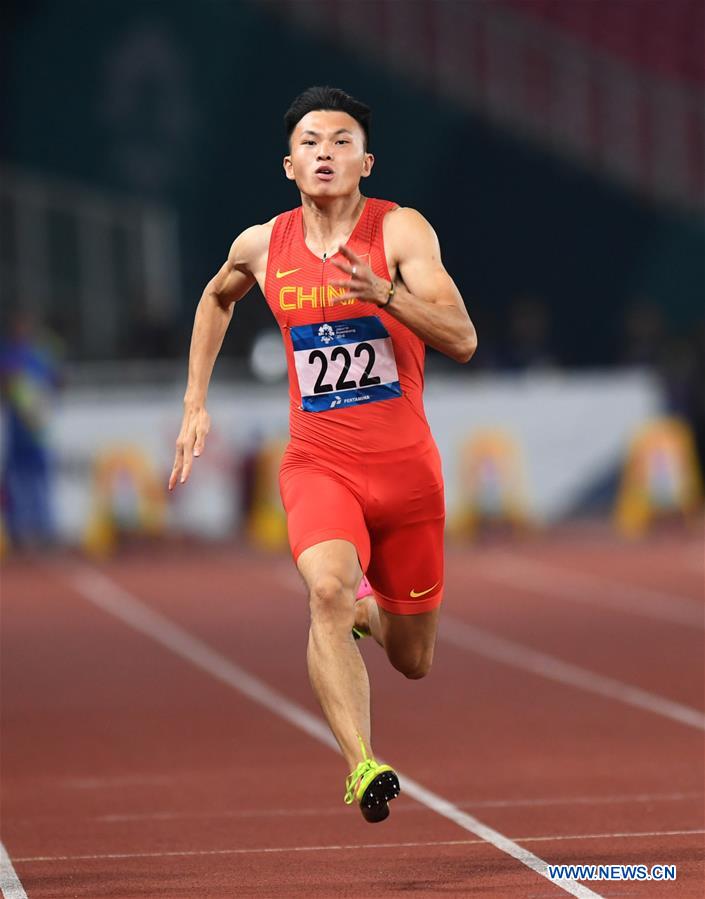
(131, 770)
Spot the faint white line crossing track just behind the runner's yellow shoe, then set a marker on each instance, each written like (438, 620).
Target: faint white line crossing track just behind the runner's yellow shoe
(399, 807)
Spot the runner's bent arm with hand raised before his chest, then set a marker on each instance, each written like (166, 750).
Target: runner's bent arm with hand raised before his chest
(425, 298)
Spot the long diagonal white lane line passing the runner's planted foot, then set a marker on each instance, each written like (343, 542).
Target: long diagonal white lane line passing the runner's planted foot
(116, 601)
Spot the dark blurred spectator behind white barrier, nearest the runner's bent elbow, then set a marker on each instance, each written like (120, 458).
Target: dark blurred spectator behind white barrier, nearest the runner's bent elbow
(528, 340)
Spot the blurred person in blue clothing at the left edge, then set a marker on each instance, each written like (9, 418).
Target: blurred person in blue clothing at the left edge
(29, 380)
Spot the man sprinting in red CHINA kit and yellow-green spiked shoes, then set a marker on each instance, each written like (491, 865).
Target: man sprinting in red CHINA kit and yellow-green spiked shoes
(358, 288)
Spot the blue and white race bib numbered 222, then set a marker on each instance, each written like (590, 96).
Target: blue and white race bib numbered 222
(344, 363)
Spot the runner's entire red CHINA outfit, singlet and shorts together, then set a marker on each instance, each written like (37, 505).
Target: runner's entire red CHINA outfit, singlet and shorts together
(361, 464)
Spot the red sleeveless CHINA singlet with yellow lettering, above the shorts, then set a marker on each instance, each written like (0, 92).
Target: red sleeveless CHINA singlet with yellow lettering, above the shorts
(298, 292)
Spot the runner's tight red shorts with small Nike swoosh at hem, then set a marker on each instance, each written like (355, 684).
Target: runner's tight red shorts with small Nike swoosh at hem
(390, 506)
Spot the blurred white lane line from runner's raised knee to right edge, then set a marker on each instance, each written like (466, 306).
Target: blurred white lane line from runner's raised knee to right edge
(499, 649)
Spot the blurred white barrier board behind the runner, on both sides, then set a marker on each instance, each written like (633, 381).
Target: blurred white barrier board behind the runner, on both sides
(570, 429)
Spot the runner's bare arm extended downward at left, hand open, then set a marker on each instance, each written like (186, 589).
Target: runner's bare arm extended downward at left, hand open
(213, 315)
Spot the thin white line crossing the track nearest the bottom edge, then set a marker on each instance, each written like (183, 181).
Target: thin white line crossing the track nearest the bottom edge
(356, 846)
